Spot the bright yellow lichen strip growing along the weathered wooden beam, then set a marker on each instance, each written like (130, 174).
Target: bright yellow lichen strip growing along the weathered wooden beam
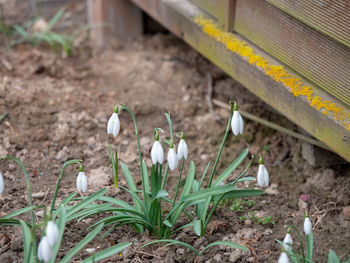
(276, 72)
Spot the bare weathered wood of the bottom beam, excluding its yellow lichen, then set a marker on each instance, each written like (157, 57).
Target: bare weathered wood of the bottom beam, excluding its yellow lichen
(179, 17)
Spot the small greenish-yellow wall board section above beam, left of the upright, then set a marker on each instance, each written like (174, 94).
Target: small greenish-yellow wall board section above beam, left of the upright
(222, 10)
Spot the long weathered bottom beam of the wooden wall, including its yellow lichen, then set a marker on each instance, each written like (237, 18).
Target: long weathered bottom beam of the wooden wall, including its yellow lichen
(257, 71)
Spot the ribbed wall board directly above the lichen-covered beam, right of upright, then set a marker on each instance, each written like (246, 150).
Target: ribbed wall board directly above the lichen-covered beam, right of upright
(319, 58)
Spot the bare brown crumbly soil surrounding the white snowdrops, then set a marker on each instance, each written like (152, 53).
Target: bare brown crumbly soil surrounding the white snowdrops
(59, 108)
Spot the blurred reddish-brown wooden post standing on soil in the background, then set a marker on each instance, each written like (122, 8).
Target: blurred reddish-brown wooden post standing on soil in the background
(114, 20)
